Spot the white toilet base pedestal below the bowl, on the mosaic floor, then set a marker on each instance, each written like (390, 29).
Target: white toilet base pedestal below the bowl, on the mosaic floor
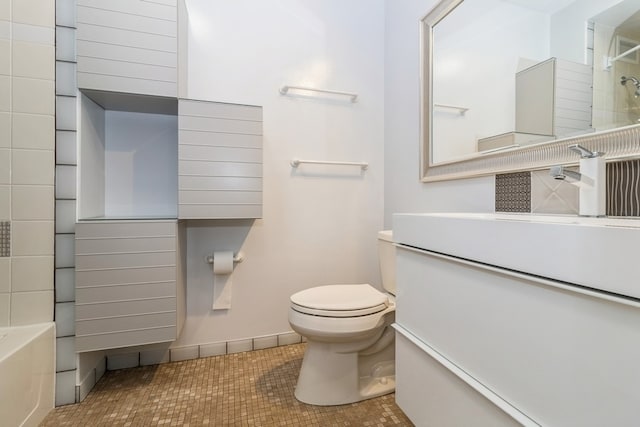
(328, 377)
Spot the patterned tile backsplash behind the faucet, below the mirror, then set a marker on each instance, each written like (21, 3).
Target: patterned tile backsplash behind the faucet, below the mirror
(551, 196)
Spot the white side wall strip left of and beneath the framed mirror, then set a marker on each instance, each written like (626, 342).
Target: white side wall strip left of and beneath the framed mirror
(403, 190)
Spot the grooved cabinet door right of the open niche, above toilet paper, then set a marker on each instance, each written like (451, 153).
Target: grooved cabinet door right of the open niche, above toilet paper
(219, 160)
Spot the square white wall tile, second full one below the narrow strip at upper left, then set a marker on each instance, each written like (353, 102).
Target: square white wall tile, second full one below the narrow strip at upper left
(33, 96)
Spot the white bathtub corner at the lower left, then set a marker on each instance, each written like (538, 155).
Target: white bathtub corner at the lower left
(27, 374)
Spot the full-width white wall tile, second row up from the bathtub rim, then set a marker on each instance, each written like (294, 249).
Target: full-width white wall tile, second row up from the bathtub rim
(32, 274)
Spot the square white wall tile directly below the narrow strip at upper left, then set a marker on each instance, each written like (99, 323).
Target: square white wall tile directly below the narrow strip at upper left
(33, 60)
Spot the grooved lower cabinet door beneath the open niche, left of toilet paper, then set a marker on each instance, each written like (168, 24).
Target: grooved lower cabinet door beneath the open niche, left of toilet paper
(126, 287)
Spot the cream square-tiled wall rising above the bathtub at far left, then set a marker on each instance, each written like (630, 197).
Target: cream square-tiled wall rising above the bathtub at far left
(27, 150)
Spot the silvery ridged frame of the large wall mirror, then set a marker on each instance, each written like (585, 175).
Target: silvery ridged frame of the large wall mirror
(617, 144)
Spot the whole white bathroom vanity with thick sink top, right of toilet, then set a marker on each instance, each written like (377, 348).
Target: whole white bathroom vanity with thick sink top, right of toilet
(517, 320)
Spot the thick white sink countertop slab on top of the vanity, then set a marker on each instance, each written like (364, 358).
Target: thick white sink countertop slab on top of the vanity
(598, 253)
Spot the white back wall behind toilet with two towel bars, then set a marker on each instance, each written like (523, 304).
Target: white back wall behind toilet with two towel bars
(319, 223)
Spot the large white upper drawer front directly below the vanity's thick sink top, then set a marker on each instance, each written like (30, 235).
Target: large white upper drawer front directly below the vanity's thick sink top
(534, 344)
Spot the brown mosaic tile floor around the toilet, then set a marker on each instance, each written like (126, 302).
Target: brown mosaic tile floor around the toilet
(243, 389)
